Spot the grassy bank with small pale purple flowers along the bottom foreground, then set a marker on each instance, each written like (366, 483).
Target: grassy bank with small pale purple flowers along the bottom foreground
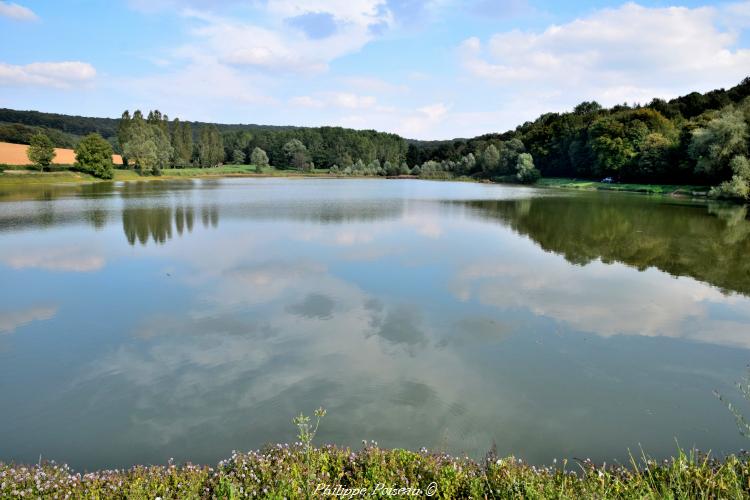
(284, 471)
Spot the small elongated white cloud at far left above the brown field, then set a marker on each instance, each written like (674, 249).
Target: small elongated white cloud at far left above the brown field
(48, 74)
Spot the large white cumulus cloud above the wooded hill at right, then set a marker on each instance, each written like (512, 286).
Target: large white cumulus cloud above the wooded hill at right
(627, 53)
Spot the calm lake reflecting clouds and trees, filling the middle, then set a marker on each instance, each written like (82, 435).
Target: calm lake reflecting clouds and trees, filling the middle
(185, 319)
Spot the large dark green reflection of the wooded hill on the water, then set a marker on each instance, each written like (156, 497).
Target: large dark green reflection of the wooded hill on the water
(708, 244)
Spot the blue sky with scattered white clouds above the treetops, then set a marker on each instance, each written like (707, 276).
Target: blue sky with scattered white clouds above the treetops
(425, 69)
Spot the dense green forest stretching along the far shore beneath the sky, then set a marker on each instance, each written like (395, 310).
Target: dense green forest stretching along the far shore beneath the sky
(693, 139)
